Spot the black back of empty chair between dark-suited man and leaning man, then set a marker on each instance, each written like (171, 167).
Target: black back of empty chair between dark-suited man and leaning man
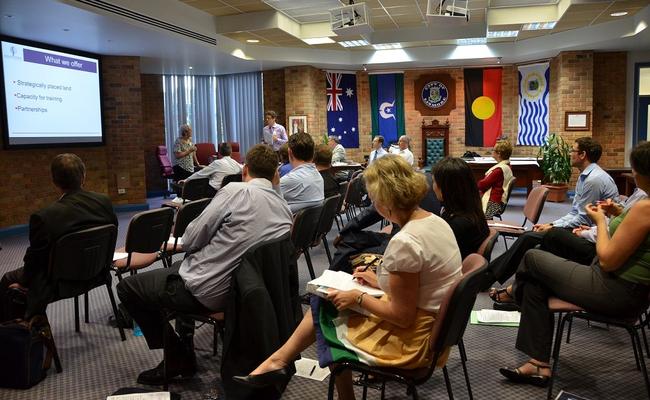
(149, 230)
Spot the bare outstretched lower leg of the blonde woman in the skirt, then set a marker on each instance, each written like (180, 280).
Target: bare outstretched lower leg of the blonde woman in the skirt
(301, 338)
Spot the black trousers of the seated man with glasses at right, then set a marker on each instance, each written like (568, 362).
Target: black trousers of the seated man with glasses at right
(559, 241)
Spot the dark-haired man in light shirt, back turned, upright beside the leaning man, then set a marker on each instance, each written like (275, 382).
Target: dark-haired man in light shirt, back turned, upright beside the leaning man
(303, 186)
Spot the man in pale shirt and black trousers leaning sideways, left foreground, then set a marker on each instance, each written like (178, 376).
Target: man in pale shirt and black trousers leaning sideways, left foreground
(240, 216)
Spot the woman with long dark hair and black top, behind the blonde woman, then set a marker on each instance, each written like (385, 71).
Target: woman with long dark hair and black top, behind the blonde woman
(455, 187)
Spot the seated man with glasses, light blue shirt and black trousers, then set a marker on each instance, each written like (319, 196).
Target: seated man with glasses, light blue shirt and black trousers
(594, 184)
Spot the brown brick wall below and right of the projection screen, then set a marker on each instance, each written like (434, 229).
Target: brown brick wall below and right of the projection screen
(28, 185)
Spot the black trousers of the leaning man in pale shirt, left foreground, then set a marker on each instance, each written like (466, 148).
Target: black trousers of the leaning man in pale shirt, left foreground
(148, 295)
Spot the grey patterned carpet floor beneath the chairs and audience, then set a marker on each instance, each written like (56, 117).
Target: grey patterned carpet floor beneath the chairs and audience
(597, 364)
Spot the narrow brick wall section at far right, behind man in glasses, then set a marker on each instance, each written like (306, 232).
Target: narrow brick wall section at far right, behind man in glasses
(609, 106)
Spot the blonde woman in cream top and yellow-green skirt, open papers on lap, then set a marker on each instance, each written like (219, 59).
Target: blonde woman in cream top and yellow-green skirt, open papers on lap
(420, 263)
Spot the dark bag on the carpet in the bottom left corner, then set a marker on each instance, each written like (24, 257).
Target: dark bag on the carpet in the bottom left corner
(23, 344)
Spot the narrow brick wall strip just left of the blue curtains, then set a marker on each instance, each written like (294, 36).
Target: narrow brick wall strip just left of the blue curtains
(153, 129)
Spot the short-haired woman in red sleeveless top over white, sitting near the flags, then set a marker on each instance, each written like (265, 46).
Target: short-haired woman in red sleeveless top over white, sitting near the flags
(494, 187)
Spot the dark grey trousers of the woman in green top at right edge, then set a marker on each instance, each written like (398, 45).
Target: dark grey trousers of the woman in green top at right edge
(542, 275)
